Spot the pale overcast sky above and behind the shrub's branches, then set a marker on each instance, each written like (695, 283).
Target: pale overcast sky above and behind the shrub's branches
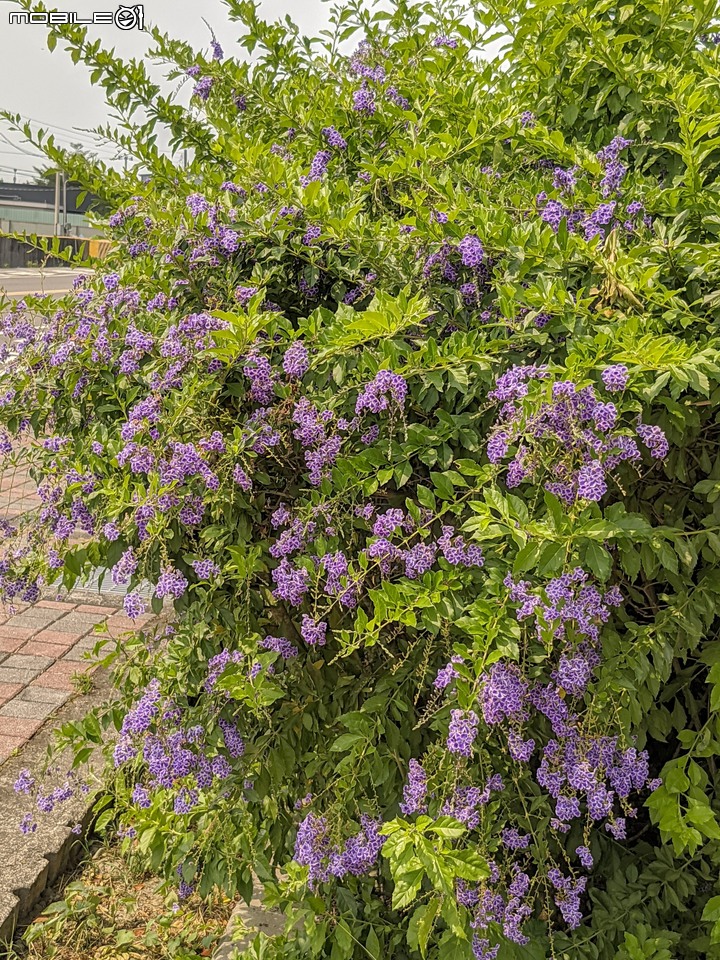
(49, 88)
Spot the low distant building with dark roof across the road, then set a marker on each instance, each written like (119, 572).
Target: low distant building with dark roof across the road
(30, 208)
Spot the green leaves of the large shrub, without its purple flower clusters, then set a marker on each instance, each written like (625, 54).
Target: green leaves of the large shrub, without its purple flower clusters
(344, 720)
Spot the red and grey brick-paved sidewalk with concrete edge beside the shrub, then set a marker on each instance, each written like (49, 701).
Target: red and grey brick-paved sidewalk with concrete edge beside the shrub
(43, 684)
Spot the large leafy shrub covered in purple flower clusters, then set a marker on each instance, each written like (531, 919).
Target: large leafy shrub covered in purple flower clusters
(403, 395)
